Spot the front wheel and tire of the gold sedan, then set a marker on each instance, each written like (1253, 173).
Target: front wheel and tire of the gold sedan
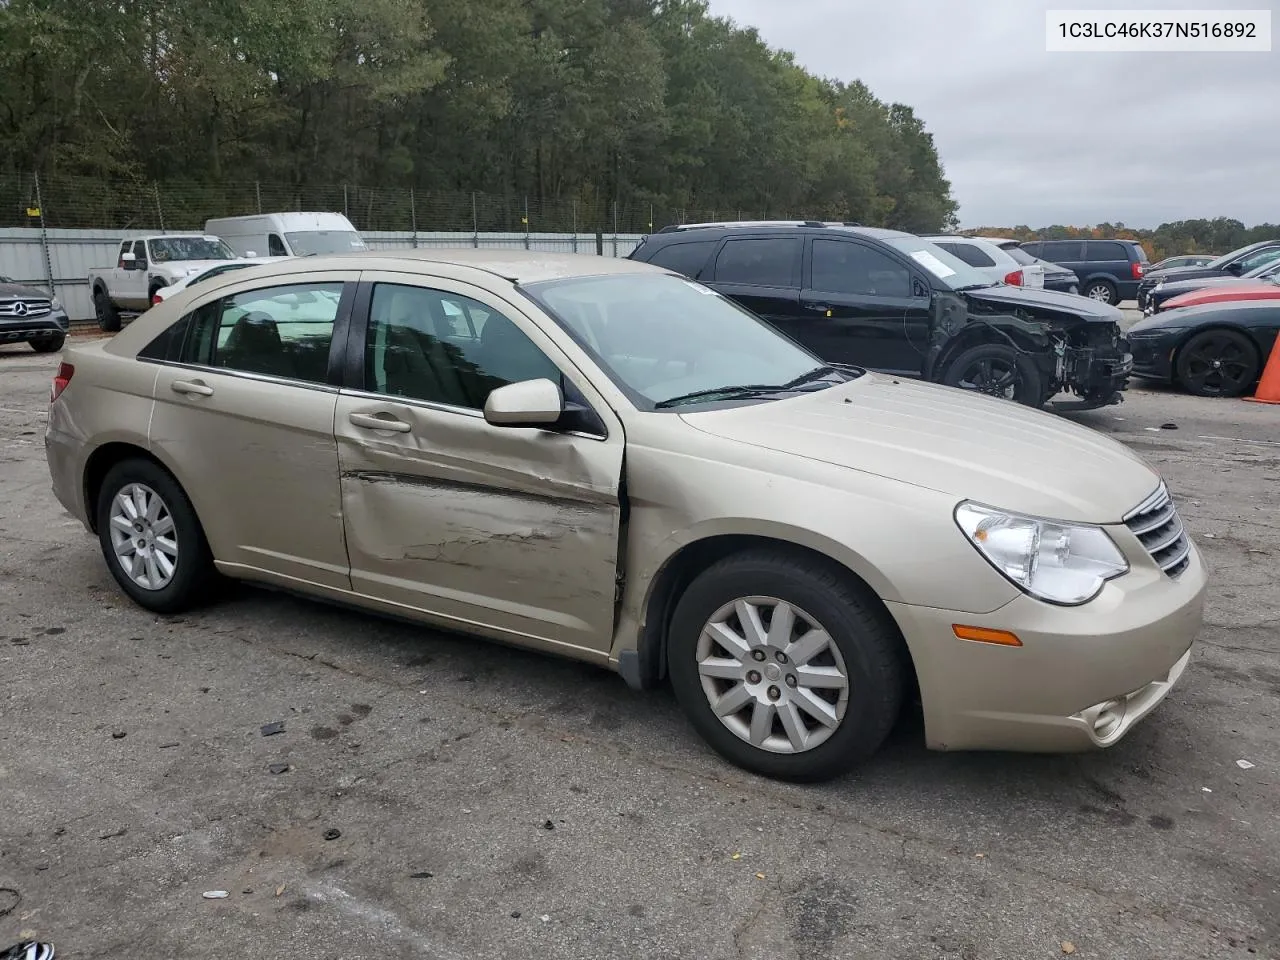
(784, 666)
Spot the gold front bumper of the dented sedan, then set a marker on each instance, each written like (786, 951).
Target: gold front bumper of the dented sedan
(1084, 678)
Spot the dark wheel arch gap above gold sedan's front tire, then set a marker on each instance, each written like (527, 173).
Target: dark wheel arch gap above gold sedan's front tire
(646, 668)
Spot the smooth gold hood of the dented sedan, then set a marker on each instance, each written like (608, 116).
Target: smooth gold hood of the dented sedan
(956, 442)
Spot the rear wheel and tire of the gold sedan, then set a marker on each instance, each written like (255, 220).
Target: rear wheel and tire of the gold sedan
(152, 538)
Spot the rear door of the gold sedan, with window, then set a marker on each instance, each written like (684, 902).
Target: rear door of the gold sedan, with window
(246, 410)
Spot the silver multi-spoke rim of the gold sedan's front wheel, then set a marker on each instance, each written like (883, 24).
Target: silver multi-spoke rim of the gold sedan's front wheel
(772, 675)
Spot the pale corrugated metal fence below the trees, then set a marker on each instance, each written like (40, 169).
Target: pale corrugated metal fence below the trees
(72, 254)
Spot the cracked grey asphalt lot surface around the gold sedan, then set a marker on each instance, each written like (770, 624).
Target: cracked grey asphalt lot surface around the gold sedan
(501, 804)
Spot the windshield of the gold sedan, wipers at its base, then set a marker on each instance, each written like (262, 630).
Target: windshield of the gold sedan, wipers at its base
(666, 341)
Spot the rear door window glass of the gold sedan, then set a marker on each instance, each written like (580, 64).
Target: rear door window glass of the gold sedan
(276, 332)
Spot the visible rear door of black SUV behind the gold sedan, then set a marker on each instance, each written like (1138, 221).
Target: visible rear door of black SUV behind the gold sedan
(762, 275)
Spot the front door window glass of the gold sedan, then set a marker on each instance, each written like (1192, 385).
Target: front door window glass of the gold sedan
(446, 349)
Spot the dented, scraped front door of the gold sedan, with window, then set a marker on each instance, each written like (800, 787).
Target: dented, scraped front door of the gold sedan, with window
(510, 532)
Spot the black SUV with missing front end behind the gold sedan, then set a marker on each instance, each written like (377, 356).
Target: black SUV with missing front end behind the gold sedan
(894, 303)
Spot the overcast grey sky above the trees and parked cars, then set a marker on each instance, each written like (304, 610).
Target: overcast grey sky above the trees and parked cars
(1031, 138)
